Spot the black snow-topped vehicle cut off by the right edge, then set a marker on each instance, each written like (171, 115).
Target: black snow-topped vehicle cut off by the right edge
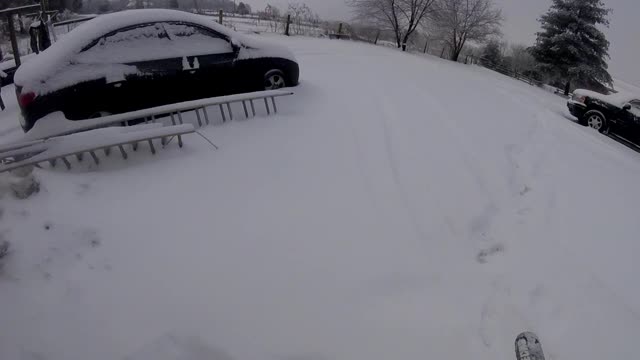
(619, 113)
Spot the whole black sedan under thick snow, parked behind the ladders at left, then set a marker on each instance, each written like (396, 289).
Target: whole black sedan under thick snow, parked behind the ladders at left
(143, 58)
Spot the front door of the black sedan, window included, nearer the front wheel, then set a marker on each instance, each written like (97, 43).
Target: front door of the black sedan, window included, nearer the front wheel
(207, 59)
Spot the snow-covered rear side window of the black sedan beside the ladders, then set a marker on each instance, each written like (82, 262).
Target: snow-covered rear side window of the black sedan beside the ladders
(132, 44)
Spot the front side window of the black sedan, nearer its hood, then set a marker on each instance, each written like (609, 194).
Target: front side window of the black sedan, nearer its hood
(193, 40)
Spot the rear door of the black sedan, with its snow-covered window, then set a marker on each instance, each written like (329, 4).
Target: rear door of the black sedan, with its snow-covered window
(137, 67)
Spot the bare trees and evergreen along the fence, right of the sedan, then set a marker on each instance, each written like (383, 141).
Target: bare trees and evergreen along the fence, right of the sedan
(570, 50)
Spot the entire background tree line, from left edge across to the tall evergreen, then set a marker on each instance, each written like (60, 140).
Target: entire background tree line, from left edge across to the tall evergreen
(570, 50)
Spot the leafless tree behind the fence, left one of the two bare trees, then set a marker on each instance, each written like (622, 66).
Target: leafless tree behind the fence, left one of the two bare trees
(400, 16)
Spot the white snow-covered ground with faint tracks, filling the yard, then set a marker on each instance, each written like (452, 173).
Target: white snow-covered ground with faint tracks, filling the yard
(398, 207)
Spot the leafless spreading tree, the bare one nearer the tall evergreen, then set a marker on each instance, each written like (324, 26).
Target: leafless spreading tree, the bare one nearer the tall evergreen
(459, 21)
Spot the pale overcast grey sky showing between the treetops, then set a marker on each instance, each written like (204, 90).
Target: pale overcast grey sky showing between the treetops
(521, 25)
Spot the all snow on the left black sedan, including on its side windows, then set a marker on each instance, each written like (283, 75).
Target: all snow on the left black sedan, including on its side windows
(44, 73)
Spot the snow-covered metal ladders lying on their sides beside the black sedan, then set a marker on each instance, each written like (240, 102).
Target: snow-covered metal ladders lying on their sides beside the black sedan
(54, 137)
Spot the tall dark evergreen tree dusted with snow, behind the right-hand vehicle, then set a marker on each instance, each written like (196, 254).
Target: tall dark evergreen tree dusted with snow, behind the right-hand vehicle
(570, 48)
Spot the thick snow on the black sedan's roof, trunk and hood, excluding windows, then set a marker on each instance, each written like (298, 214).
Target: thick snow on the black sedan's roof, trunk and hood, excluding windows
(59, 55)
